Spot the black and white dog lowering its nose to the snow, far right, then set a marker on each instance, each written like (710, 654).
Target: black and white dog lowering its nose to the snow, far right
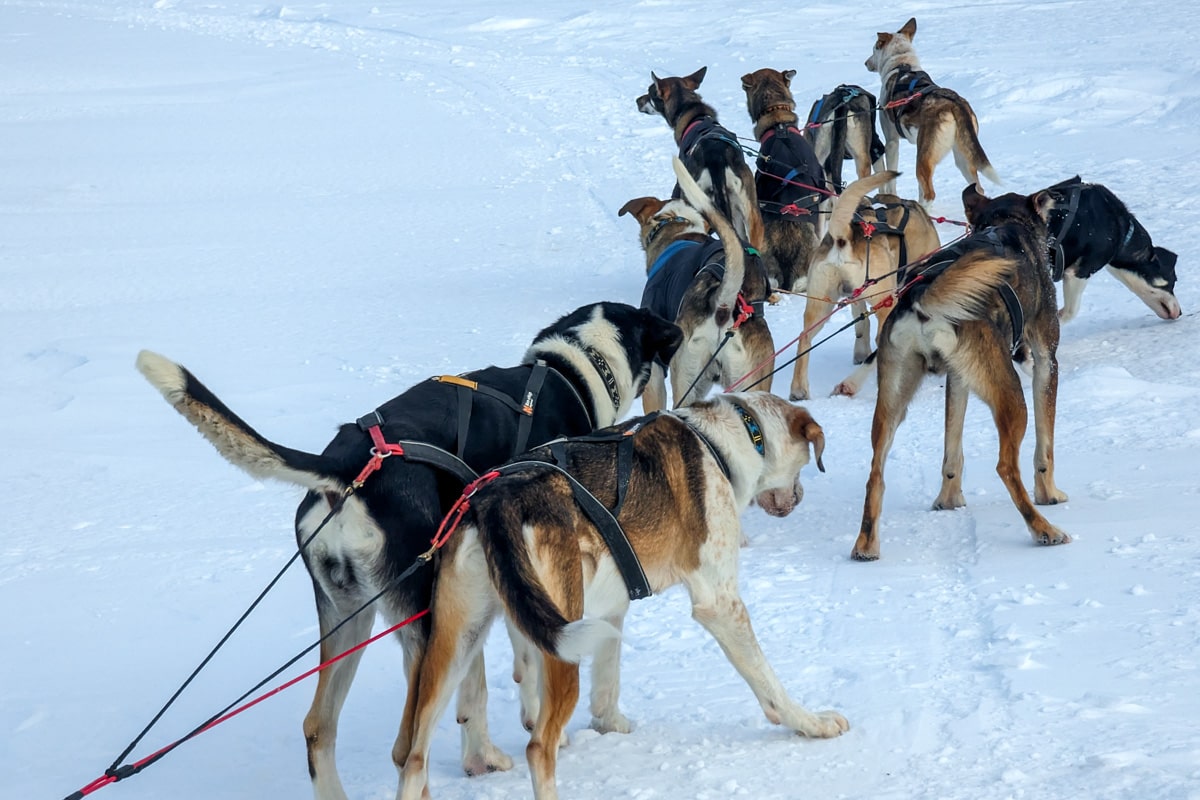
(1093, 228)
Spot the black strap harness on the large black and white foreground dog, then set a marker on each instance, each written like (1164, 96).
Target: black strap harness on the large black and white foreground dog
(422, 453)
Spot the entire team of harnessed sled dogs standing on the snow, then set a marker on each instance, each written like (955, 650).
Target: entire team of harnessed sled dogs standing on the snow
(573, 514)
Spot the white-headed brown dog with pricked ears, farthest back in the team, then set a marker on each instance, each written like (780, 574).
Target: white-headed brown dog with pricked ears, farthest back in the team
(938, 121)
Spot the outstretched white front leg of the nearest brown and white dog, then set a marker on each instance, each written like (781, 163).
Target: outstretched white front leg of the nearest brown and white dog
(728, 619)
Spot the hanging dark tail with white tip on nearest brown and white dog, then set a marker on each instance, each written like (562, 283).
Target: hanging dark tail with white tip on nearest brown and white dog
(501, 522)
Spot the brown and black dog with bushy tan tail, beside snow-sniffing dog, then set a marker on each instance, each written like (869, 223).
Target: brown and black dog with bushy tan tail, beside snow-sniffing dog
(964, 320)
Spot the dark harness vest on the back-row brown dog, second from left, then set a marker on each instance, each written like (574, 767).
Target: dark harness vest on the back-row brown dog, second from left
(788, 175)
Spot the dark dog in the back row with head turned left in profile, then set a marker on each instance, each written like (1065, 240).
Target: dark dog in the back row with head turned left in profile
(710, 152)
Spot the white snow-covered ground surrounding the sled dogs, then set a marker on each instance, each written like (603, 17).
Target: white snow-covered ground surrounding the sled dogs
(315, 206)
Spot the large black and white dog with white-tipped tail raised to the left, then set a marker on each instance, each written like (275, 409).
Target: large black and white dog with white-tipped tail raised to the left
(583, 372)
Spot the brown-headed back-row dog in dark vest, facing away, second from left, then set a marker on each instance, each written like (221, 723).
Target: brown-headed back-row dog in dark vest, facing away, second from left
(789, 178)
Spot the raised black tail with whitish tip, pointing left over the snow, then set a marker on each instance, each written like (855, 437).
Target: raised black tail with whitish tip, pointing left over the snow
(233, 438)
